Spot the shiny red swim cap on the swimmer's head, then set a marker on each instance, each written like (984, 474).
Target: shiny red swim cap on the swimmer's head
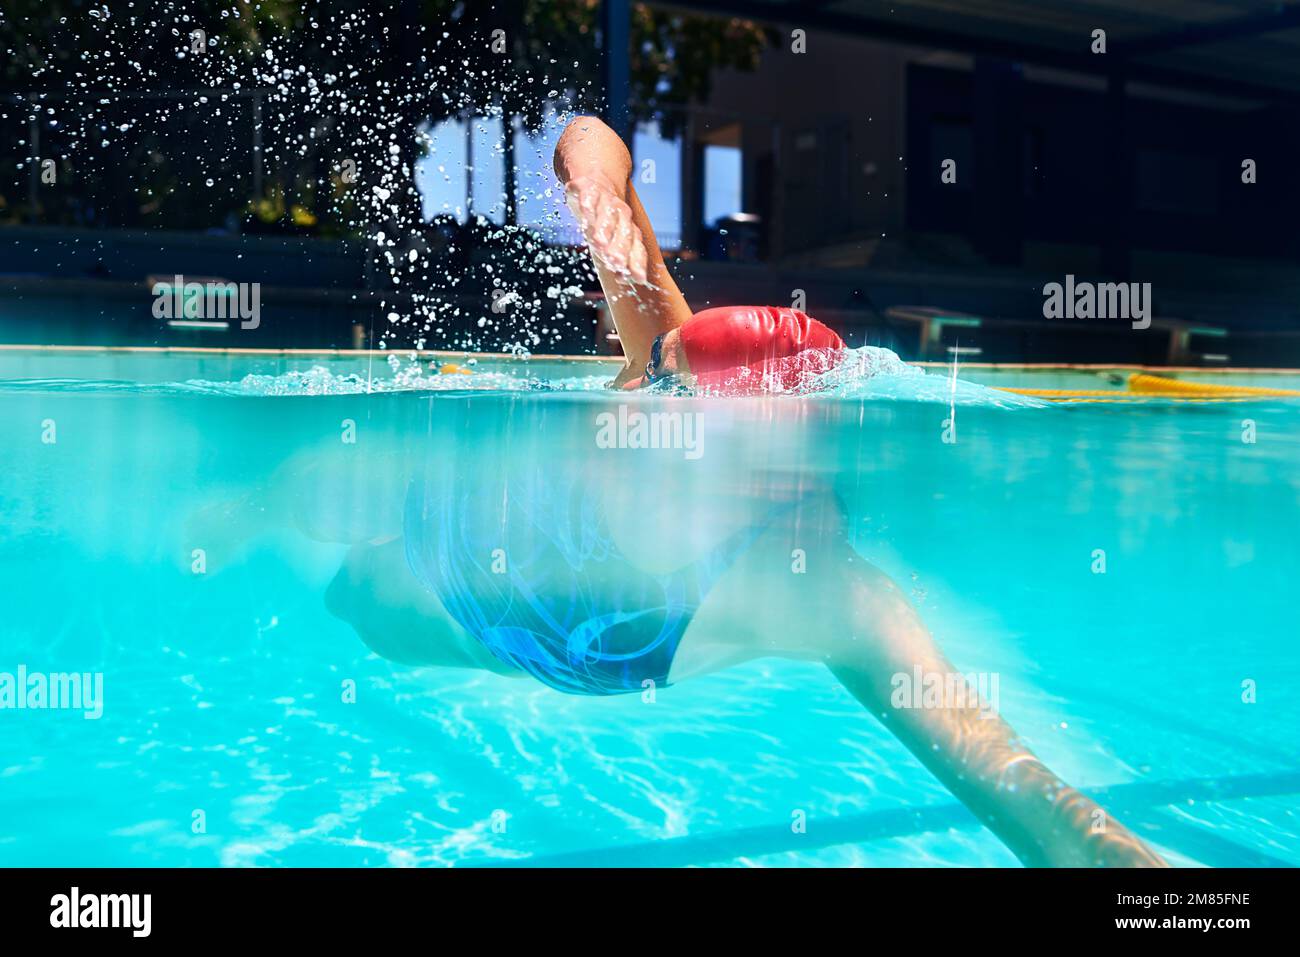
(759, 349)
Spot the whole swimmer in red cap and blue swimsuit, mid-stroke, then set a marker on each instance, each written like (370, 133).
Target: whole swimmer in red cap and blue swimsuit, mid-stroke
(597, 575)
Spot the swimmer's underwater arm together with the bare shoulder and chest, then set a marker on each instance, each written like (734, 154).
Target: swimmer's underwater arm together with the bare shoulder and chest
(850, 616)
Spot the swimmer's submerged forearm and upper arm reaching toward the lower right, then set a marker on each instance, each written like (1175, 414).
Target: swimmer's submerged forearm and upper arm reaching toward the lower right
(977, 756)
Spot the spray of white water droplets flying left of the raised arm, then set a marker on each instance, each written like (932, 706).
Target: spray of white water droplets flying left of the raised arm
(337, 103)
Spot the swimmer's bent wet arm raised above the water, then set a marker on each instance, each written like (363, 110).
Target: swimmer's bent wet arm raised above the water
(596, 168)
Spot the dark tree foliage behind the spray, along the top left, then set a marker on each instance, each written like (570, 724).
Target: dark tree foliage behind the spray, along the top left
(343, 79)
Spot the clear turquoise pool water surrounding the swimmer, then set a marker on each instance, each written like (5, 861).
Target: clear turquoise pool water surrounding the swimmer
(229, 734)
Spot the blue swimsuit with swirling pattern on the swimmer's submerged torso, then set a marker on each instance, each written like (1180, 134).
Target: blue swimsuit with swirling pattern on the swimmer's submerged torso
(534, 574)
